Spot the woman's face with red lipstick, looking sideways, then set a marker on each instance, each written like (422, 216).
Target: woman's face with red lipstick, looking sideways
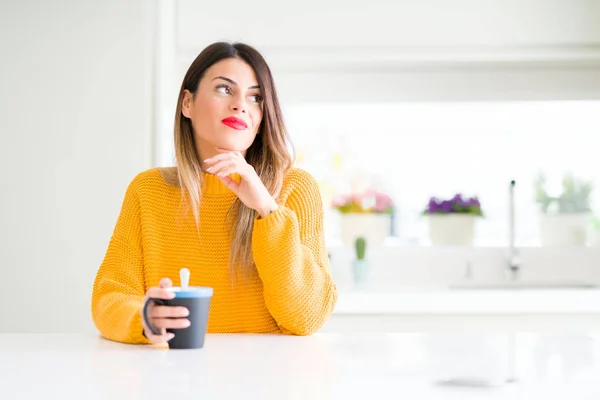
(226, 111)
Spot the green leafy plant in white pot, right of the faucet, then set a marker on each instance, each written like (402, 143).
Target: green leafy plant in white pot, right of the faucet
(564, 217)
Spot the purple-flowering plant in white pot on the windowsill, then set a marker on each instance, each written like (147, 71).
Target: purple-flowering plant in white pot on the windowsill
(452, 221)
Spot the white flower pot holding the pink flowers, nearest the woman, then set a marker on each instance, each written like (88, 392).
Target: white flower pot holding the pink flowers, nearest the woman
(373, 227)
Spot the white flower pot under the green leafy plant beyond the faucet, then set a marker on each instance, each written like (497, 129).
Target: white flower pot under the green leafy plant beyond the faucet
(564, 229)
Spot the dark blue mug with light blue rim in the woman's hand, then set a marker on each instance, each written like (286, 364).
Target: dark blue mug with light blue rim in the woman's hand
(197, 300)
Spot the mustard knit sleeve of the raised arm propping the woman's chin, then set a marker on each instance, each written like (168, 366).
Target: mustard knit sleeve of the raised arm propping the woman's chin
(288, 247)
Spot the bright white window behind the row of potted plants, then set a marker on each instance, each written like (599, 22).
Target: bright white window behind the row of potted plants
(417, 150)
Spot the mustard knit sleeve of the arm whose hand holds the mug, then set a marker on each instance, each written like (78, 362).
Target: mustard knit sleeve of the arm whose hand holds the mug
(119, 287)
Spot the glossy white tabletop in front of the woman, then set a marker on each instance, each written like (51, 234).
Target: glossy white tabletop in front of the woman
(322, 366)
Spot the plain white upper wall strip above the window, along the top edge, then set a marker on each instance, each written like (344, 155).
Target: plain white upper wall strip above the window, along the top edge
(405, 26)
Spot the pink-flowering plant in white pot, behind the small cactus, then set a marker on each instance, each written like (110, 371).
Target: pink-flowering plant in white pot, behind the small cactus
(366, 214)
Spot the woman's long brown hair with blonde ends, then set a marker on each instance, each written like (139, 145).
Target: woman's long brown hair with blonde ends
(269, 154)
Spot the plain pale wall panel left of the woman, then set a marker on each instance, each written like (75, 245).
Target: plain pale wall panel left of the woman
(75, 126)
